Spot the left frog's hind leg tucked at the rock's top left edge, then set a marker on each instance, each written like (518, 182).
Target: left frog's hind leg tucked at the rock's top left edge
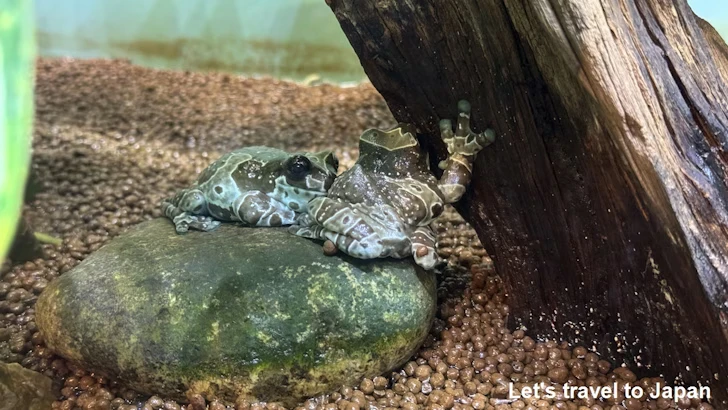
(186, 209)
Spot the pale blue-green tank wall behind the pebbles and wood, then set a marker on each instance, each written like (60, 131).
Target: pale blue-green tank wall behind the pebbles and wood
(282, 38)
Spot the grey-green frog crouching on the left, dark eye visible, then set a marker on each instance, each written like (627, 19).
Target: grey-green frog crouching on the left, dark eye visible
(258, 186)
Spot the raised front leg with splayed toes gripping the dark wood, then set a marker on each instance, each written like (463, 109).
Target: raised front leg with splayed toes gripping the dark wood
(462, 147)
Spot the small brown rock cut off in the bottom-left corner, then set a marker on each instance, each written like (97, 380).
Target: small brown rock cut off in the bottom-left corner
(23, 389)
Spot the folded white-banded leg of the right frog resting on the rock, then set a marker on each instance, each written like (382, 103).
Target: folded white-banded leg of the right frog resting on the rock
(355, 229)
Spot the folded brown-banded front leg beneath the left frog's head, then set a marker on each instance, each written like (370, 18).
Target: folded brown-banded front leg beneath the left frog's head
(258, 209)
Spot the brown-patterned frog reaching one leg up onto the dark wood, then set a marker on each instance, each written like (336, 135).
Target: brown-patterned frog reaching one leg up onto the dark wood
(384, 204)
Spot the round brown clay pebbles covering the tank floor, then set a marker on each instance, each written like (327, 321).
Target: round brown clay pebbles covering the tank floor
(112, 139)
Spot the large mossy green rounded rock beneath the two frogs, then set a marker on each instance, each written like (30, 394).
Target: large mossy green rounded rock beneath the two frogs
(237, 312)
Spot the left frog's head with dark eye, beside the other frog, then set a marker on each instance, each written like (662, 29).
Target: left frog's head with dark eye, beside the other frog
(305, 176)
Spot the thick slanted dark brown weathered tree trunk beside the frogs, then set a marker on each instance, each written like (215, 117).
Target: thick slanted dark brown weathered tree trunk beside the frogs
(603, 201)
